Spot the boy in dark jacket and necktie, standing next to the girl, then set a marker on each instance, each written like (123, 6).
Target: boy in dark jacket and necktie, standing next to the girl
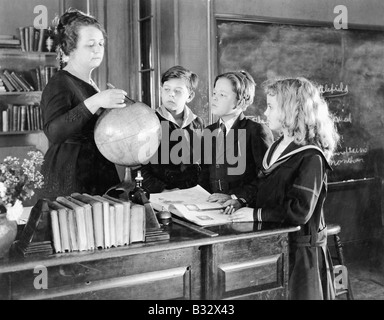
(244, 138)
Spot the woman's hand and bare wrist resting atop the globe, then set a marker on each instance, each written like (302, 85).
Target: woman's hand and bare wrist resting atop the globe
(108, 99)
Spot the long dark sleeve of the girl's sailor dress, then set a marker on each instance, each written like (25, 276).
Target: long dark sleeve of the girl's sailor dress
(301, 196)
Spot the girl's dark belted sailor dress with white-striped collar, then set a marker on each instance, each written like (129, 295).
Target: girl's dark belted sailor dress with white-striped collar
(293, 190)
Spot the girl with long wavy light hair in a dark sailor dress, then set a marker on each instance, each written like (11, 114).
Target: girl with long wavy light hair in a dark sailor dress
(293, 182)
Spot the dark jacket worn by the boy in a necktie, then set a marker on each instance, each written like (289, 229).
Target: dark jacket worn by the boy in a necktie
(221, 172)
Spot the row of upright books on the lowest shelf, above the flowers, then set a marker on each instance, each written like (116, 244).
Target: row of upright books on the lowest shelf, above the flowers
(21, 118)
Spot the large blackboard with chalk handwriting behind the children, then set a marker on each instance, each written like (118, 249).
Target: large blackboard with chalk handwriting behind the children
(348, 64)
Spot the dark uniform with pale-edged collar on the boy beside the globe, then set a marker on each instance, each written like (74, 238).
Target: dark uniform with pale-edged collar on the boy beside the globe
(174, 165)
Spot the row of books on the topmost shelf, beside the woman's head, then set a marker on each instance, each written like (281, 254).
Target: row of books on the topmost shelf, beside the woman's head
(30, 39)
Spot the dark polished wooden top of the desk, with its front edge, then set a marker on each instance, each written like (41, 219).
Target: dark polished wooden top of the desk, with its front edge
(180, 237)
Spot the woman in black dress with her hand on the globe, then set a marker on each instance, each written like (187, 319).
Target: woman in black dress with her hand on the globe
(71, 104)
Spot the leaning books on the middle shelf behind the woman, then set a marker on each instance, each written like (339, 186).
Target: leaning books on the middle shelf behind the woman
(12, 81)
